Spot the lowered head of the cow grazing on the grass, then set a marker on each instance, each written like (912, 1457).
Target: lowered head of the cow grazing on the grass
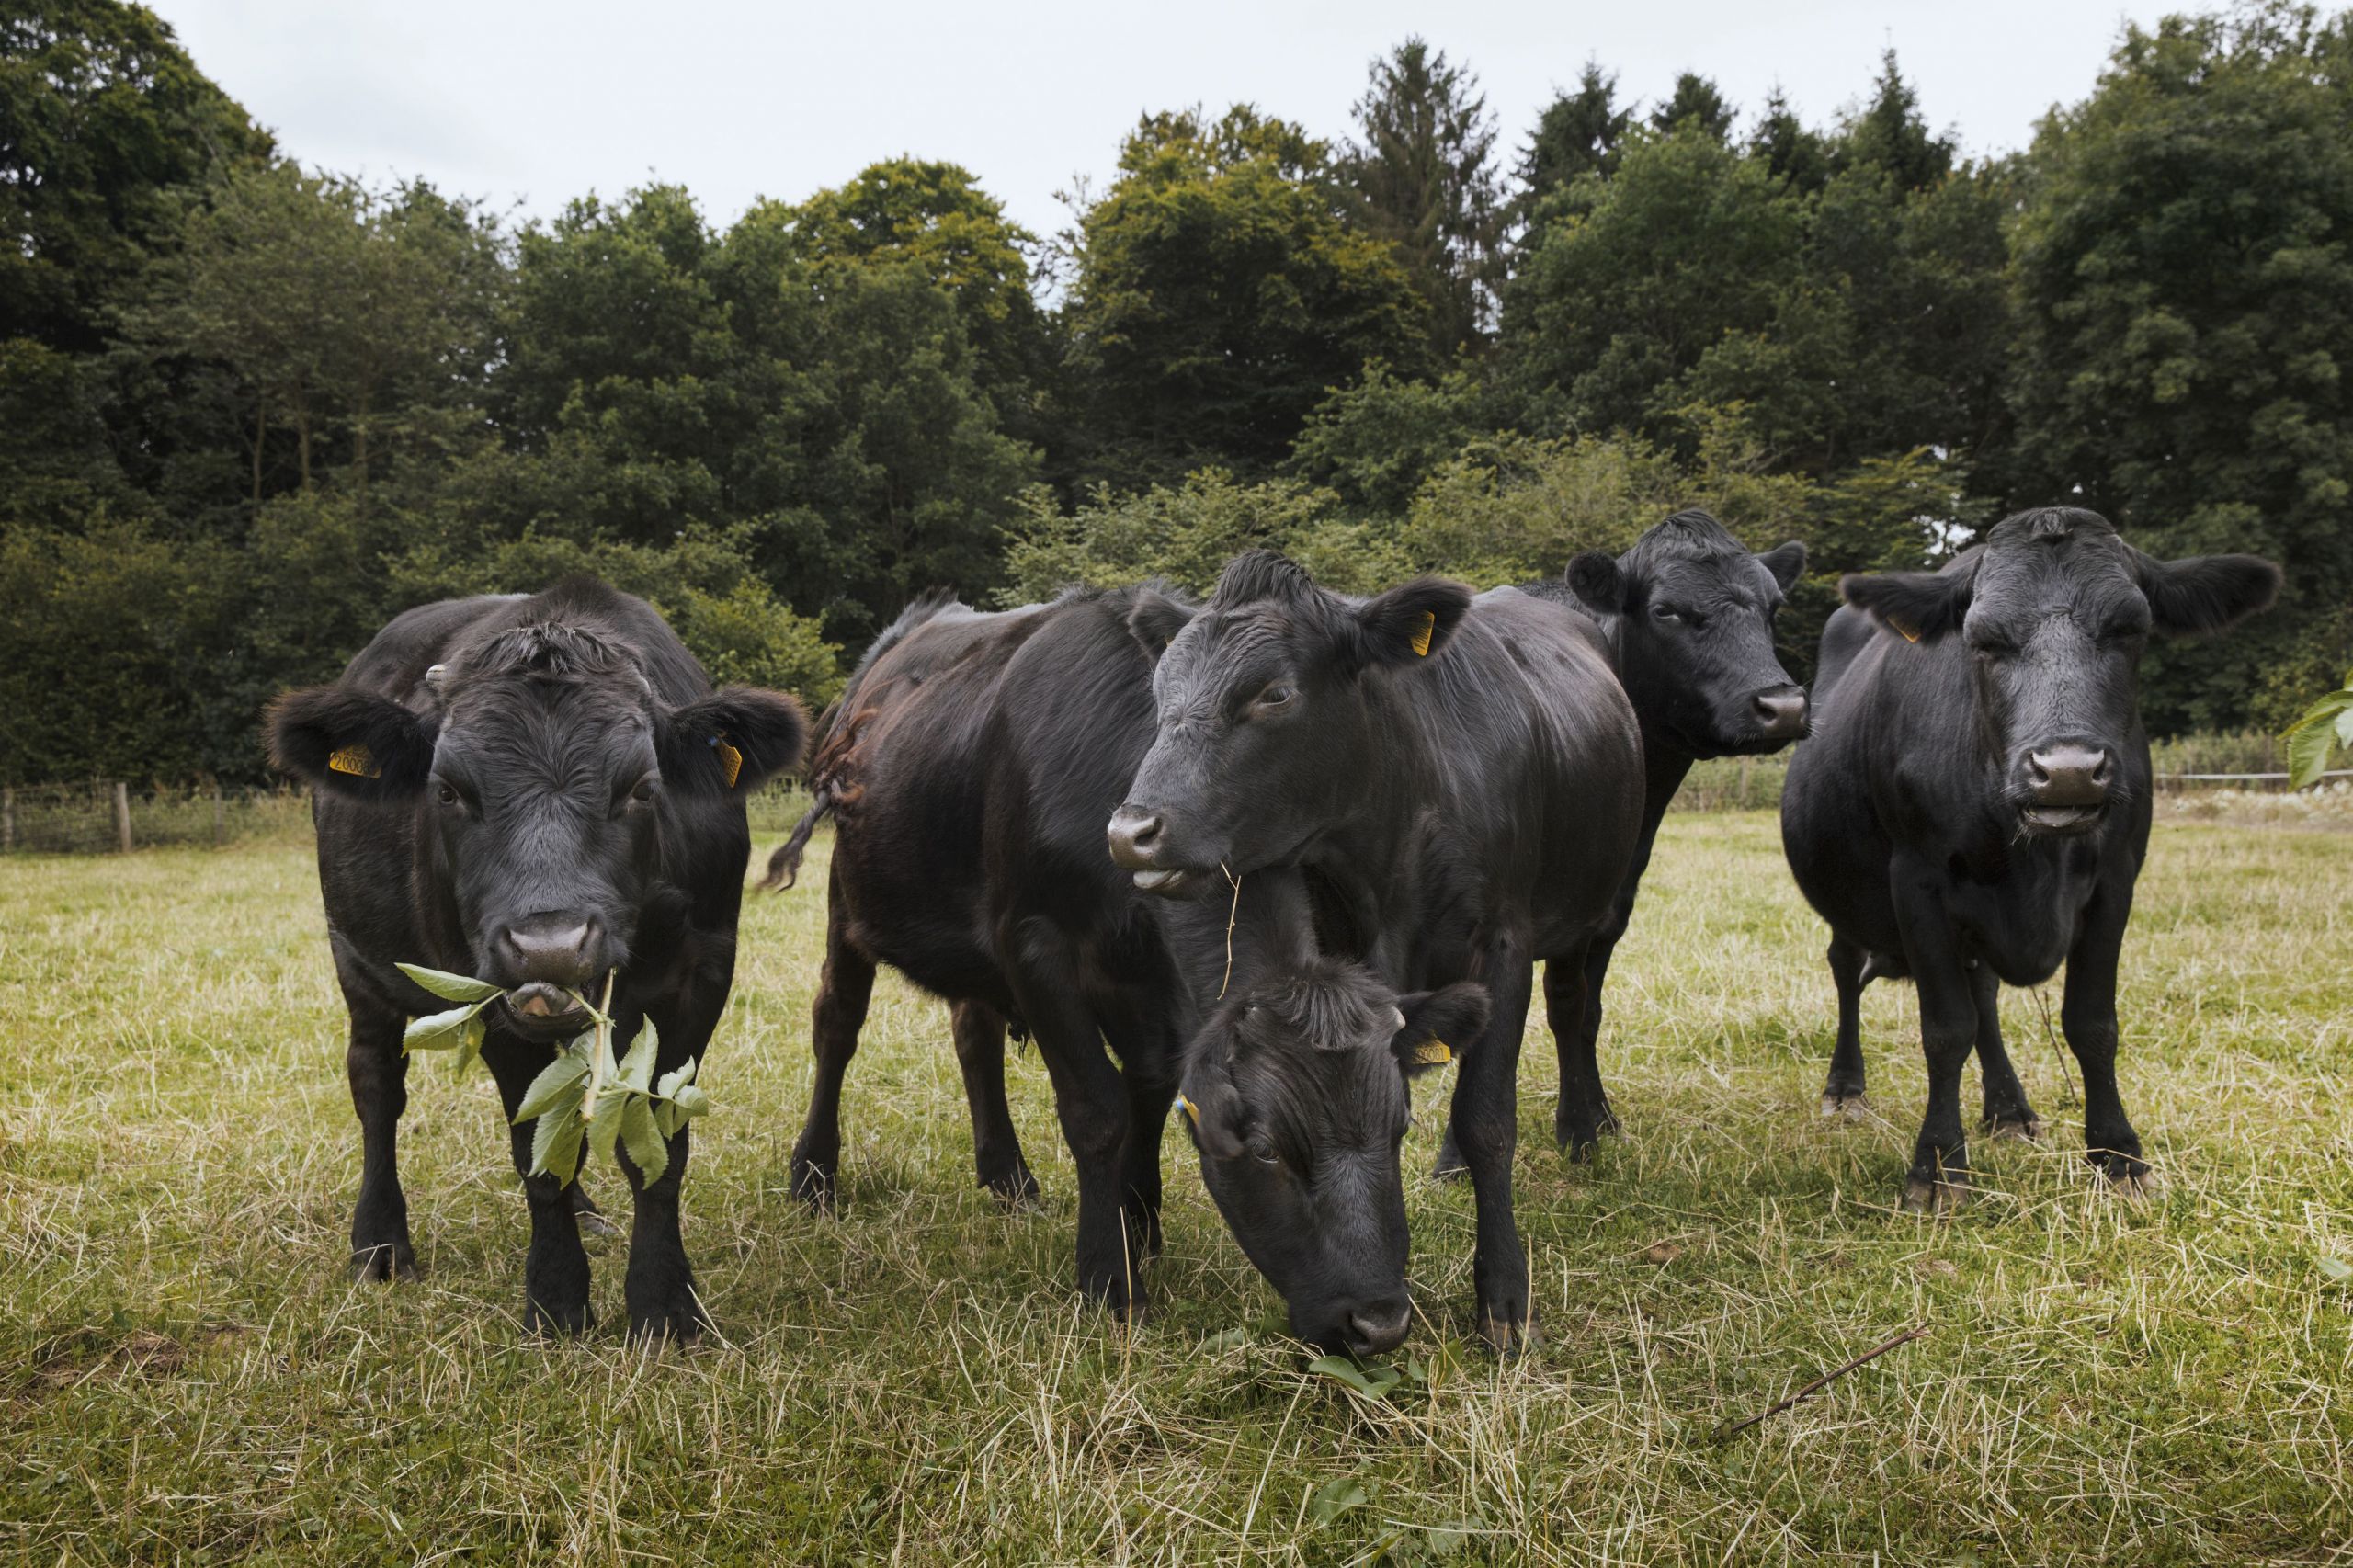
(1295, 1094)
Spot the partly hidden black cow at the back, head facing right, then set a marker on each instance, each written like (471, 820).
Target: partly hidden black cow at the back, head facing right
(1688, 623)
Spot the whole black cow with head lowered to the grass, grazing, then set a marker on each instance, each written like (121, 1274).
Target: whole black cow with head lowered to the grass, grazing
(971, 771)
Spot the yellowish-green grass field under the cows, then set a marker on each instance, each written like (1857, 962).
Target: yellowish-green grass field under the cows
(189, 1378)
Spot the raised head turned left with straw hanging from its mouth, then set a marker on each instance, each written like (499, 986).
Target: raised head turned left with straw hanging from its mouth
(1265, 738)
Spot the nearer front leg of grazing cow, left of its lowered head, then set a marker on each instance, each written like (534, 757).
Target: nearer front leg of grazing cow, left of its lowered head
(1091, 1101)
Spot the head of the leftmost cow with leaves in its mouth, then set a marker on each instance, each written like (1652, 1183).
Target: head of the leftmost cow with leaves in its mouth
(542, 771)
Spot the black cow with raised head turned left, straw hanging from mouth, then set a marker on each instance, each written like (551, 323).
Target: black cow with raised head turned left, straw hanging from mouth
(1460, 776)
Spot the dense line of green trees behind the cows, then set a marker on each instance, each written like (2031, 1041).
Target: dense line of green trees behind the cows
(248, 411)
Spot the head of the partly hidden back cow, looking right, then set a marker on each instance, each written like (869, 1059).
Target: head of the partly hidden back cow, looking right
(1693, 625)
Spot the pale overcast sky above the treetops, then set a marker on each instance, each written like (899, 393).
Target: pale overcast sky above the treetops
(740, 98)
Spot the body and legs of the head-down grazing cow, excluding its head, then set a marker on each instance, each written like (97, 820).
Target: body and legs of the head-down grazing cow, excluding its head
(968, 776)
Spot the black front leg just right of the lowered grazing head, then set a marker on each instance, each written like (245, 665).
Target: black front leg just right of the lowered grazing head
(1488, 1129)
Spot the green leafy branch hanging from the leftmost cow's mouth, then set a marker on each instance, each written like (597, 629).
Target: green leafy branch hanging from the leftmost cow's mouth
(582, 1096)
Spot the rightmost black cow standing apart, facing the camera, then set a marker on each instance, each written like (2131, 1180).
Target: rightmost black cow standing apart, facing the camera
(1975, 804)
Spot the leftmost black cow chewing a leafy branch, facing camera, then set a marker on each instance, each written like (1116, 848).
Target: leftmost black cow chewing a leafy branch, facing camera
(540, 792)
